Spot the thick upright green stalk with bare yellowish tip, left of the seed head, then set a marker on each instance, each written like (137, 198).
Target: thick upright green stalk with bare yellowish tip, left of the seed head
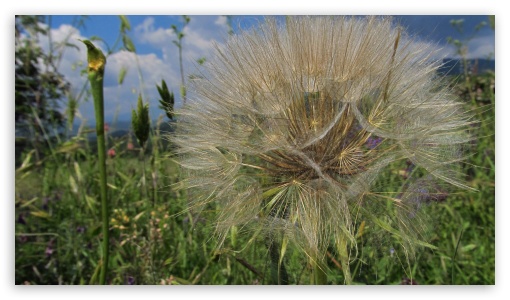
(96, 64)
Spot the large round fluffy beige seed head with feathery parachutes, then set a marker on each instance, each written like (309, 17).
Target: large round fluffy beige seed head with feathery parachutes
(293, 128)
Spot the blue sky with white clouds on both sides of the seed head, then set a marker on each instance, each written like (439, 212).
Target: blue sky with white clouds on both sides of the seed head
(157, 57)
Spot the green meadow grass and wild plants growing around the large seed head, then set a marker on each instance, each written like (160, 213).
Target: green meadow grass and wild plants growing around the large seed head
(153, 240)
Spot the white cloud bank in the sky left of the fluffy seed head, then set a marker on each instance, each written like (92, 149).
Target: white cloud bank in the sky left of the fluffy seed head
(120, 99)
